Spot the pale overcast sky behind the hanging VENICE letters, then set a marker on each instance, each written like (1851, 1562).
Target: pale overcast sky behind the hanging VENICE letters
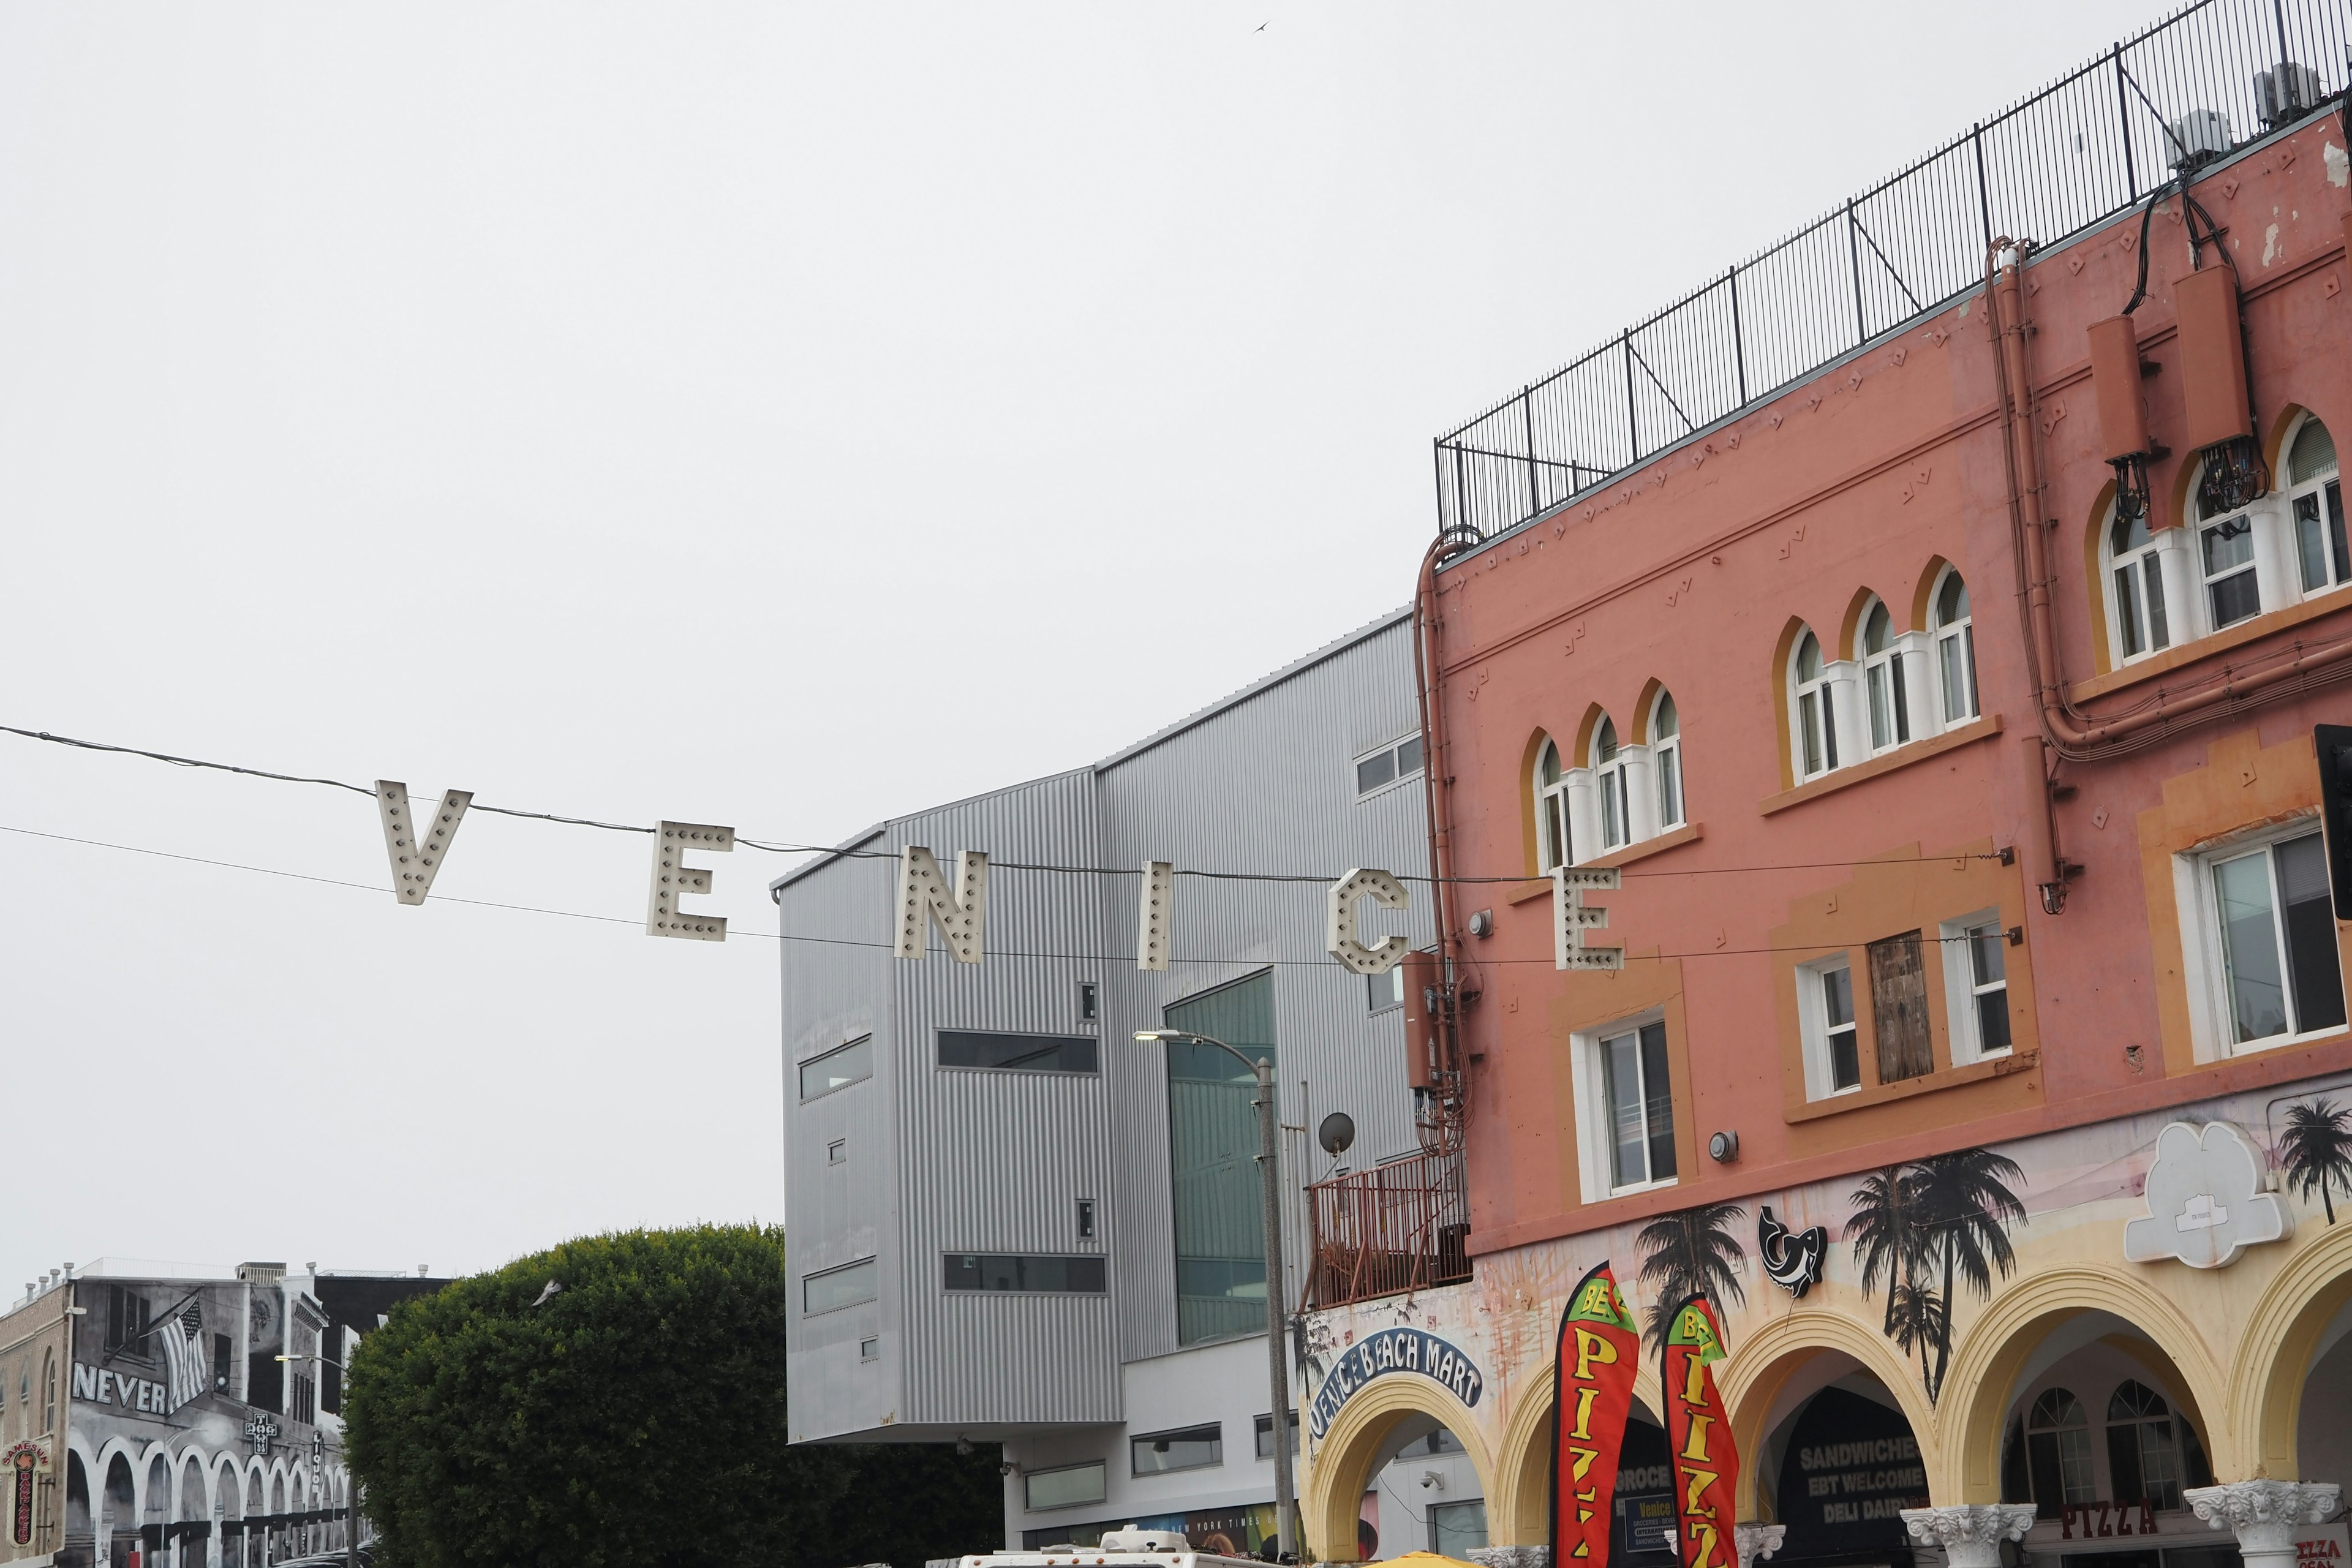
(777, 417)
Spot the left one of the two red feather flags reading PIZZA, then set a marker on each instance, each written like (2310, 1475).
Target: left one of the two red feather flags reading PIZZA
(1598, 1358)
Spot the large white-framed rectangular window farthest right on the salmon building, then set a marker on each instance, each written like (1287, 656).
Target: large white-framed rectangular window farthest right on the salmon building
(2271, 967)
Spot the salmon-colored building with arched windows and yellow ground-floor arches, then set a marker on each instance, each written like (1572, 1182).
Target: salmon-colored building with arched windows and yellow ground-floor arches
(1970, 1014)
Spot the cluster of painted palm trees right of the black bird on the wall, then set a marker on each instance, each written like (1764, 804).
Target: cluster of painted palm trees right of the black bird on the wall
(1920, 1231)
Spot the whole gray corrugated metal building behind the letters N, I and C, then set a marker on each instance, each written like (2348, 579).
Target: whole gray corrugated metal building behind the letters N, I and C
(1013, 1221)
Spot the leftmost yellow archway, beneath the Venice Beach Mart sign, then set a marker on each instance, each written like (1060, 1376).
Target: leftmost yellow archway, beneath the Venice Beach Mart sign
(1384, 1447)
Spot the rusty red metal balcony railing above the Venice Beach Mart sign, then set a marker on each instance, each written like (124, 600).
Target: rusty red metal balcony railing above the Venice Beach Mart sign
(1389, 1231)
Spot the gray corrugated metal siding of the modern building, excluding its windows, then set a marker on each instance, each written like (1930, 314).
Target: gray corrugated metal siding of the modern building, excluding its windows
(998, 1160)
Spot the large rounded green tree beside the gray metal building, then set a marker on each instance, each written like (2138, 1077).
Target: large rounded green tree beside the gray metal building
(634, 1419)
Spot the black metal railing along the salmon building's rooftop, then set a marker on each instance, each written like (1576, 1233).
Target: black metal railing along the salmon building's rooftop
(2092, 145)
